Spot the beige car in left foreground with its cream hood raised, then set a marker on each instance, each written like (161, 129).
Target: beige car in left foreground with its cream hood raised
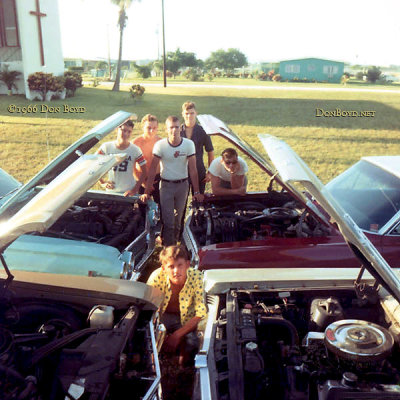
(64, 336)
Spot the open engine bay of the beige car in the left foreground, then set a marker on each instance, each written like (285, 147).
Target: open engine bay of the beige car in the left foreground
(51, 351)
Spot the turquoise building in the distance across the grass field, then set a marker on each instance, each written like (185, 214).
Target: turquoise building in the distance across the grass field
(311, 69)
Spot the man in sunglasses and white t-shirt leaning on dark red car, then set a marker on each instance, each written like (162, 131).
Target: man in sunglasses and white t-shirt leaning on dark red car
(228, 174)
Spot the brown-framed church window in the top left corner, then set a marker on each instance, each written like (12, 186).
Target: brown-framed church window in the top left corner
(8, 24)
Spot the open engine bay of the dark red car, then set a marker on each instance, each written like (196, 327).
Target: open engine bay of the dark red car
(231, 220)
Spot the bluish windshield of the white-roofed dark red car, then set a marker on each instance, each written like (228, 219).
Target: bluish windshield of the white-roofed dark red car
(368, 193)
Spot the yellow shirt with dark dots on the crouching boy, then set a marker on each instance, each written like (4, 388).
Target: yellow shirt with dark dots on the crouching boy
(191, 299)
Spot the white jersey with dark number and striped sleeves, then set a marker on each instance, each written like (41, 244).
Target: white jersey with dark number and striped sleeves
(122, 174)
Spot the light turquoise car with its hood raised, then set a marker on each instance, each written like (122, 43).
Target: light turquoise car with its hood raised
(99, 234)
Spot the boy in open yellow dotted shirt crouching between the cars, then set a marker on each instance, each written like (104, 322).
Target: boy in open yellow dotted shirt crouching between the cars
(183, 306)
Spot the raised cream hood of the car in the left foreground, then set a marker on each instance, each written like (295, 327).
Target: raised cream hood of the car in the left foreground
(54, 199)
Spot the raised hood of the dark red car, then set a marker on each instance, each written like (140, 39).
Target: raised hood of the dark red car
(214, 126)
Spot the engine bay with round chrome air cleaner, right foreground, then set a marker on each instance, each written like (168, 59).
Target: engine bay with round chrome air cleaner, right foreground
(304, 346)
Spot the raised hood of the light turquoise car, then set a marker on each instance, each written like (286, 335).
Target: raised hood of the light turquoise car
(68, 156)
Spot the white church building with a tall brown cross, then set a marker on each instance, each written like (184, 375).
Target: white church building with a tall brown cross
(30, 39)
